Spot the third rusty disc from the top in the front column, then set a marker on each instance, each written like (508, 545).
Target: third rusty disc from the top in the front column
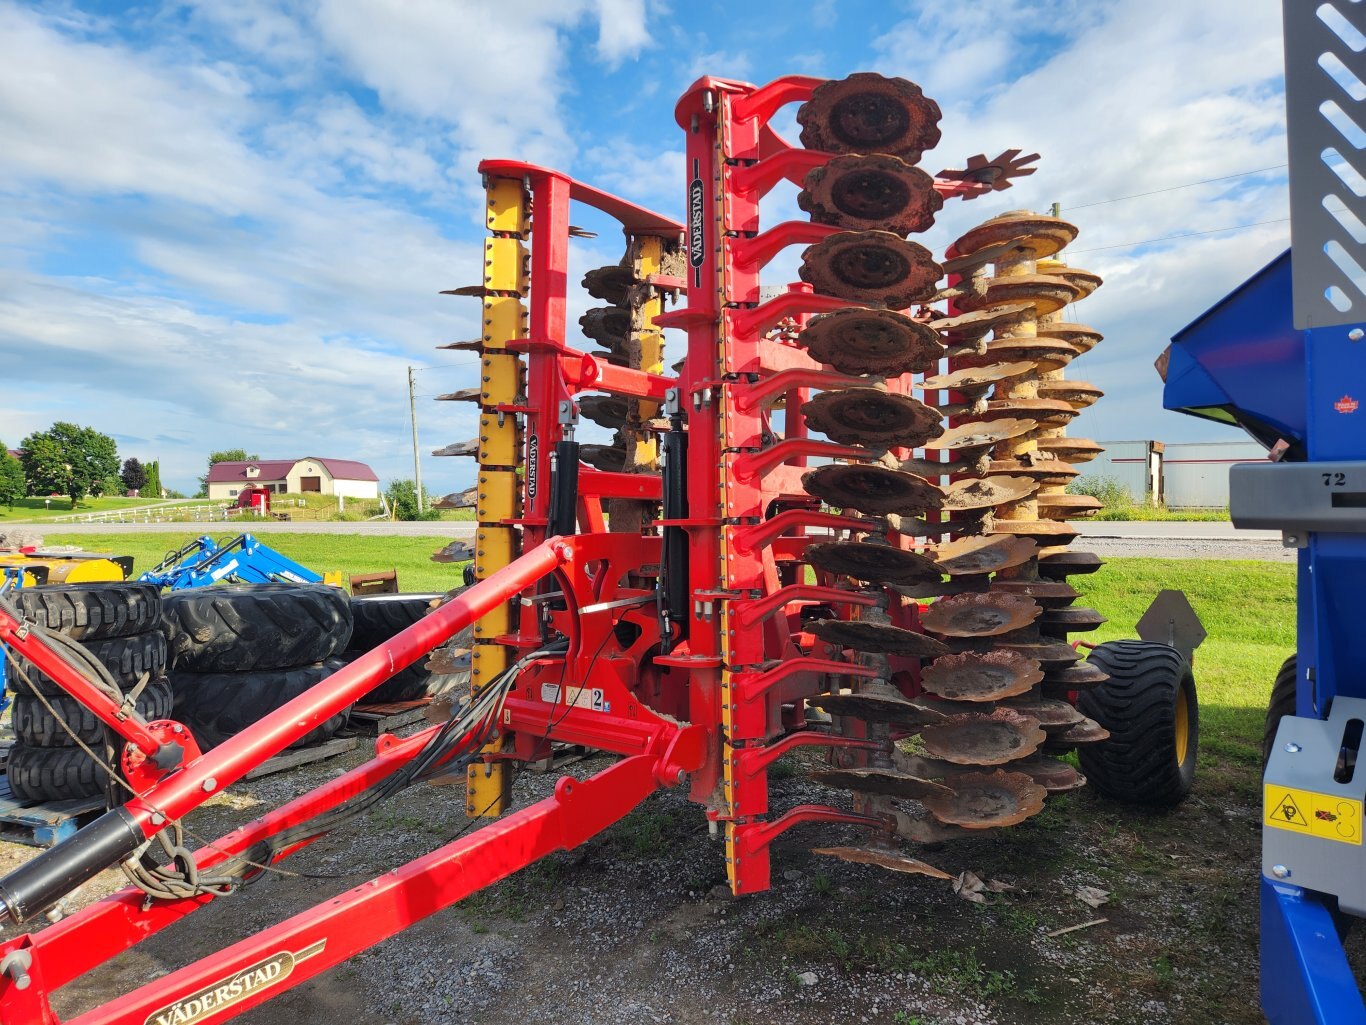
(874, 267)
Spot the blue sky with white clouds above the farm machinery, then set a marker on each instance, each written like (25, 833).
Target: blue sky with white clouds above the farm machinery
(227, 223)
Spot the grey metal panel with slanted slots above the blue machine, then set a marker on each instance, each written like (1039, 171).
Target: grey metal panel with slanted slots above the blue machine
(1326, 70)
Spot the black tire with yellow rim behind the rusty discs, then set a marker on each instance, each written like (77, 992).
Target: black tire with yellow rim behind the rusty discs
(1139, 705)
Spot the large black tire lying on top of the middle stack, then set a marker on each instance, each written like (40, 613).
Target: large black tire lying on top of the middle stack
(242, 628)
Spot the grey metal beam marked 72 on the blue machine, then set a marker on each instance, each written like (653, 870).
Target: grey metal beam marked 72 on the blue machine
(1298, 498)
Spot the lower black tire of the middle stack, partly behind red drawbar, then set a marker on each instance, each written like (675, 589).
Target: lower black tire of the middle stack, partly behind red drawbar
(218, 706)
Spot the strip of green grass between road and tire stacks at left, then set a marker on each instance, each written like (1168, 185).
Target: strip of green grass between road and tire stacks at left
(412, 557)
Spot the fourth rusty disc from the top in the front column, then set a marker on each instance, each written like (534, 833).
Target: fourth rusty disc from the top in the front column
(864, 341)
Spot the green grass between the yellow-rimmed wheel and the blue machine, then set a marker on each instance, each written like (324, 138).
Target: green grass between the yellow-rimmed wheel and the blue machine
(1249, 612)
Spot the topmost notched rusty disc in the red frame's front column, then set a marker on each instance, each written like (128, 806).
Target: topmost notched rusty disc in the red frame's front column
(871, 114)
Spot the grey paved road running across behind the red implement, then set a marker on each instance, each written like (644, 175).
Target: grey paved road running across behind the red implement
(1163, 541)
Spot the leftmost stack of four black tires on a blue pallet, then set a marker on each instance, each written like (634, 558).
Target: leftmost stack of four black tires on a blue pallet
(121, 625)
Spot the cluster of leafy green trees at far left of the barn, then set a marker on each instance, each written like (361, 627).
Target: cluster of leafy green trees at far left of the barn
(74, 461)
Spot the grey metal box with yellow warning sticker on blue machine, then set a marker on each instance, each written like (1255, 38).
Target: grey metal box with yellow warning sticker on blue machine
(1304, 758)
